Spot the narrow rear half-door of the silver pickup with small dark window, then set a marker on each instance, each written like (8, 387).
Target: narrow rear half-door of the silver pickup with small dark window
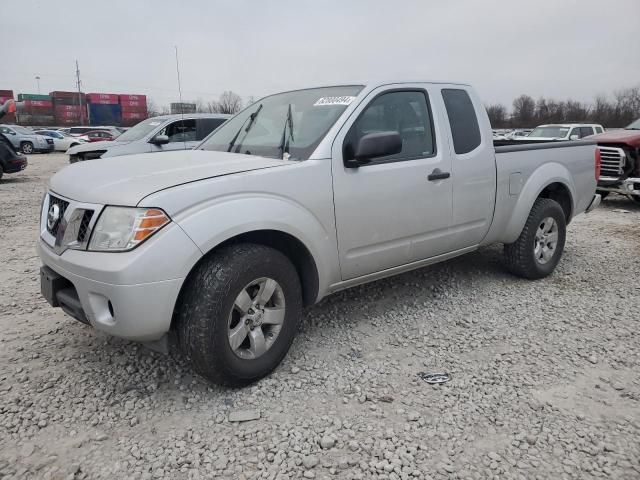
(473, 168)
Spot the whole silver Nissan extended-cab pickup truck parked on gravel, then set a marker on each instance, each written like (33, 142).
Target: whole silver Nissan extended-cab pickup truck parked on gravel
(300, 195)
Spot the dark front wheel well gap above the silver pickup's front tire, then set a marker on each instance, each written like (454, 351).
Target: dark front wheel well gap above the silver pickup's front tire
(290, 246)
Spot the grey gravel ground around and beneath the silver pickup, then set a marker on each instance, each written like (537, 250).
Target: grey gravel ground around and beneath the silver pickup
(545, 376)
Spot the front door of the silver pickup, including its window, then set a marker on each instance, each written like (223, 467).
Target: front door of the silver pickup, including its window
(395, 209)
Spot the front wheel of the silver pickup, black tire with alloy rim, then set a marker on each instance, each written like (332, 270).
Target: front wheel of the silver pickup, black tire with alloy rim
(209, 309)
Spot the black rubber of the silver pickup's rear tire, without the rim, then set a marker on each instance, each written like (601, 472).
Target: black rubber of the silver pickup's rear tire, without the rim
(519, 255)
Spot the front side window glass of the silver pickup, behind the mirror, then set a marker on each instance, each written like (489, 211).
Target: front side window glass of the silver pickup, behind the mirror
(405, 112)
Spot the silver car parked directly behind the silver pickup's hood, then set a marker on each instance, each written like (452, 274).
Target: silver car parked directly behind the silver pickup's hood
(158, 134)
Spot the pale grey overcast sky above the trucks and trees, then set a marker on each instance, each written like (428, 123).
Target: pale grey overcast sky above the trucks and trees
(558, 48)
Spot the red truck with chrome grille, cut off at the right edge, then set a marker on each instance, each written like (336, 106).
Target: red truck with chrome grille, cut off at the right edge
(620, 156)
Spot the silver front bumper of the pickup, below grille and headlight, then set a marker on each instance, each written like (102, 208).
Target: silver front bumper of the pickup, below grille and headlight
(117, 292)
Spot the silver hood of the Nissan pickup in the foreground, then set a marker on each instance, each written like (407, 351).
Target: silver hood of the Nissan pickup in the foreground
(128, 179)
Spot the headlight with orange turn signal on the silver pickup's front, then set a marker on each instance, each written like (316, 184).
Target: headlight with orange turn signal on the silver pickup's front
(123, 228)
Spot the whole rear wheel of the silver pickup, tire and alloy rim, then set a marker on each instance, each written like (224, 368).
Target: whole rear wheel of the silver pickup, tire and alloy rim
(524, 257)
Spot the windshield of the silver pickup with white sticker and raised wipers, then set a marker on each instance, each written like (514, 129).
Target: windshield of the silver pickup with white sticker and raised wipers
(287, 125)
